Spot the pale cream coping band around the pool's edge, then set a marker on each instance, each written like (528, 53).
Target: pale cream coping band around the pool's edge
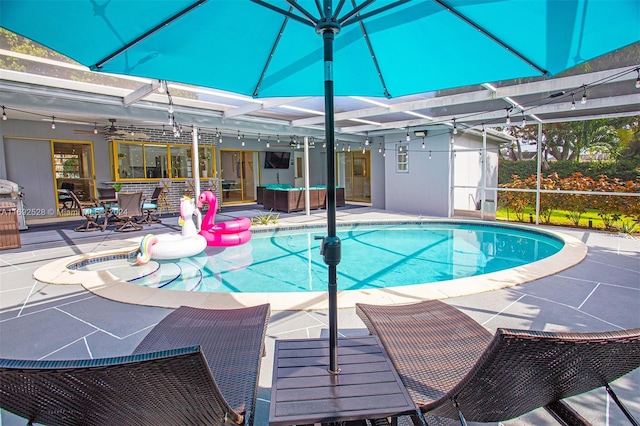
(107, 285)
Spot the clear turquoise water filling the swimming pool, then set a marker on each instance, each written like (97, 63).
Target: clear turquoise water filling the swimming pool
(373, 257)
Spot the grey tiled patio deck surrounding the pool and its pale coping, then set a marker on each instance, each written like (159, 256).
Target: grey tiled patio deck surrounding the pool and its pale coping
(44, 321)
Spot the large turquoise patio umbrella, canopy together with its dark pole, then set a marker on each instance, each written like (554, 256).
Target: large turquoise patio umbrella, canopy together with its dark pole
(386, 48)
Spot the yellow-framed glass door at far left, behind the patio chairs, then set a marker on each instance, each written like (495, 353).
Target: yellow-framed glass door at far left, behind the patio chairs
(73, 170)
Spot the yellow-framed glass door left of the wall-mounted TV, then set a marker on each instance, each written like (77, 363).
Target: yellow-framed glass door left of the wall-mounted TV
(239, 176)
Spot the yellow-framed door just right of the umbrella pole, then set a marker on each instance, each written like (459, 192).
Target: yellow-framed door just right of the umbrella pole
(354, 168)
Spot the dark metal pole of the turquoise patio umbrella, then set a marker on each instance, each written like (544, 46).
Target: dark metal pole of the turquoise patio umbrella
(330, 248)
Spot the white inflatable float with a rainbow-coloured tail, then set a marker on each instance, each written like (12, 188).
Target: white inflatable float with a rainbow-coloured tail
(174, 246)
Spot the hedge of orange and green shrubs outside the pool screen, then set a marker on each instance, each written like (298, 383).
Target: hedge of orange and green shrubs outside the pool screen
(610, 207)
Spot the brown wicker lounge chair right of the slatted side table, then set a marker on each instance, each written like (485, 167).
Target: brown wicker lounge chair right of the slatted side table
(453, 368)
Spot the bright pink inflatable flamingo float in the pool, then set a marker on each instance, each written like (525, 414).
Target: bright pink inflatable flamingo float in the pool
(224, 234)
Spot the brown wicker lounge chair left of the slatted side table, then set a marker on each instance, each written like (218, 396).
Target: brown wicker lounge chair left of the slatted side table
(197, 366)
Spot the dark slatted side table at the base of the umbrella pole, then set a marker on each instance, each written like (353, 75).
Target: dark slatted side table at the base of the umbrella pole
(304, 392)
